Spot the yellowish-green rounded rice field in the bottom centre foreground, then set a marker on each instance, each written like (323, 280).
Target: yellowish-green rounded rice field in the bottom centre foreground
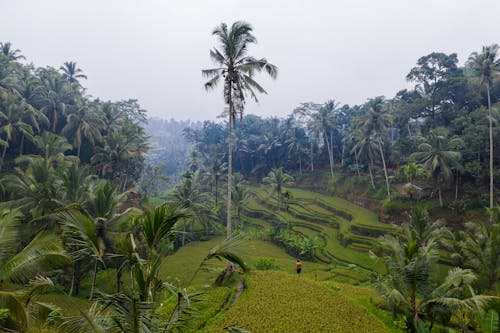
(278, 302)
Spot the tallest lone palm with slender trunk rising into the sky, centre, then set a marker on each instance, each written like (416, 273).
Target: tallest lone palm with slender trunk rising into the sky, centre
(237, 71)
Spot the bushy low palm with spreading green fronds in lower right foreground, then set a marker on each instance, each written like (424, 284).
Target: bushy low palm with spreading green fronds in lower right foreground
(411, 256)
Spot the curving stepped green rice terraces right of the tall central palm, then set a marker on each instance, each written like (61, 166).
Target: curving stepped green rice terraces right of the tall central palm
(345, 231)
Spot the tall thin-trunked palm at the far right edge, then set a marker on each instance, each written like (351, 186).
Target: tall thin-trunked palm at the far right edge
(486, 65)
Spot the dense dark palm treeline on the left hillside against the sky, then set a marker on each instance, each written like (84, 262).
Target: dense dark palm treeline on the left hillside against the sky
(40, 107)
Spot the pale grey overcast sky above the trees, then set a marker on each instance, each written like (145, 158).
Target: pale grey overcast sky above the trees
(154, 50)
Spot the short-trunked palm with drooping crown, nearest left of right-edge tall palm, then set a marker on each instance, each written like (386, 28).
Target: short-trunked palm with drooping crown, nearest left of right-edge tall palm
(437, 159)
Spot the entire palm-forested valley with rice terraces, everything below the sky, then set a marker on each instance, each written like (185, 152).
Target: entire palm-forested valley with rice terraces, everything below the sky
(111, 221)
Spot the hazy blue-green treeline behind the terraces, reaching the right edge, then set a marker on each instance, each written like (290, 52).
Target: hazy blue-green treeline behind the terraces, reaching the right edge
(435, 135)
